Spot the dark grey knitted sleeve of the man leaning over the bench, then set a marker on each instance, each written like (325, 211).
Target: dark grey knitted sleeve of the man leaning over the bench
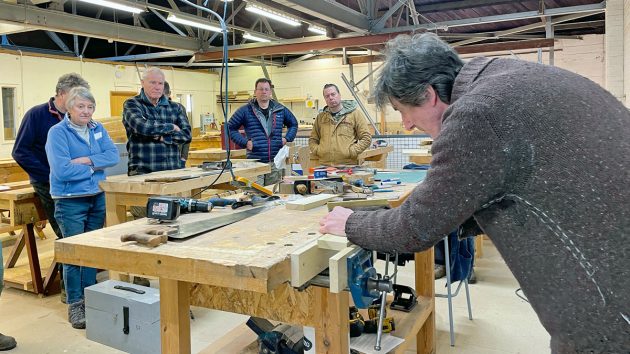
(468, 170)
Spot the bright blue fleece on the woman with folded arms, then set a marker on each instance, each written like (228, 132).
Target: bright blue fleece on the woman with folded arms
(69, 179)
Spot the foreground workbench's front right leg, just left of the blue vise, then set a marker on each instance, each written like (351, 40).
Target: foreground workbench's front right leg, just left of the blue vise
(332, 332)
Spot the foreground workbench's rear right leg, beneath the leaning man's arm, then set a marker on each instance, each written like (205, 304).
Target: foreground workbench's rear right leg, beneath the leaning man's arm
(425, 340)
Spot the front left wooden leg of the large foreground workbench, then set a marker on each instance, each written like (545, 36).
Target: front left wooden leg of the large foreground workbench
(174, 316)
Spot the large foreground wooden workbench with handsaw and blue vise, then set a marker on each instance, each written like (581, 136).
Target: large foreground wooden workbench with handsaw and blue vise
(246, 268)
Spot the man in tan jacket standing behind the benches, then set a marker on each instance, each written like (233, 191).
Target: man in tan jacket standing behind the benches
(340, 132)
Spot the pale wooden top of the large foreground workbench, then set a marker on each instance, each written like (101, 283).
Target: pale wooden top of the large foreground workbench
(252, 254)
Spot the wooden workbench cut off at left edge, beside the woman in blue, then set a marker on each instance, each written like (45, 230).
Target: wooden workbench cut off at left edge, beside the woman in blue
(24, 211)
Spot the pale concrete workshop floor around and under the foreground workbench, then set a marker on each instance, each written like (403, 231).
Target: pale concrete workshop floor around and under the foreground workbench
(502, 322)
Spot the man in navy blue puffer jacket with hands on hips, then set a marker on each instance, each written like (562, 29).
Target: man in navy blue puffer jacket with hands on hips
(263, 120)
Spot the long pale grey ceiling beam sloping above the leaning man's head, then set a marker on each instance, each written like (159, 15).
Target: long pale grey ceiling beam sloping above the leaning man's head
(587, 10)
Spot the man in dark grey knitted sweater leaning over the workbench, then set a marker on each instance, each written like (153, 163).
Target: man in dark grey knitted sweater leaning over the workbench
(539, 158)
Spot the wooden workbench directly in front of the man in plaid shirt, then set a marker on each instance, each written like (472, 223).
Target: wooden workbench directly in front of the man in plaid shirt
(122, 191)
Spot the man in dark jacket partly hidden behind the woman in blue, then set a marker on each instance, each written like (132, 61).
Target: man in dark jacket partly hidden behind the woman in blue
(29, 148)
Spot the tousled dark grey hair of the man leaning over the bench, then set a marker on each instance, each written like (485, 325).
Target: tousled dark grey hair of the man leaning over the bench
(413, 64)
